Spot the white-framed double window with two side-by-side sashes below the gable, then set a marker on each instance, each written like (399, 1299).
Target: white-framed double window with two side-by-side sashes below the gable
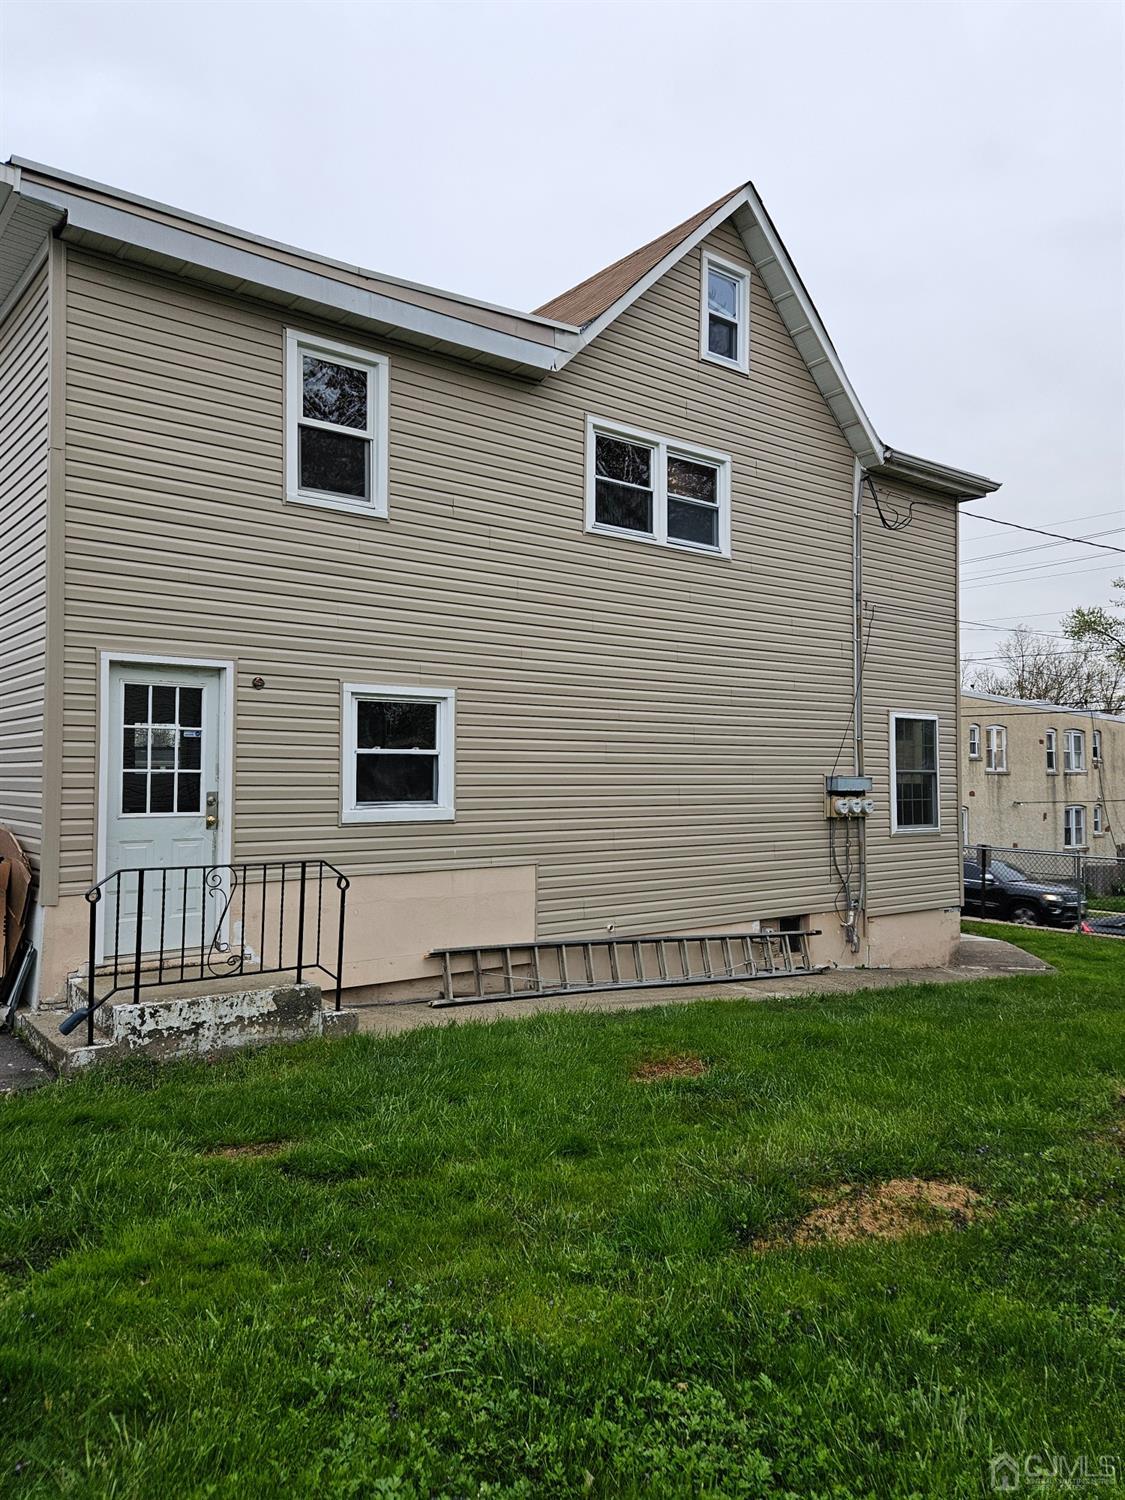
(656, 490)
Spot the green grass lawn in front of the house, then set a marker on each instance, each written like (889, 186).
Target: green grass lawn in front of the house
(488, 1264)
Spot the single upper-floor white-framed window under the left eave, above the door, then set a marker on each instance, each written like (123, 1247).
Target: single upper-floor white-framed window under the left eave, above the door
(335, 425)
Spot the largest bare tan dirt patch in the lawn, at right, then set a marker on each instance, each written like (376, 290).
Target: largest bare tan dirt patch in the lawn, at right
(884, 1211)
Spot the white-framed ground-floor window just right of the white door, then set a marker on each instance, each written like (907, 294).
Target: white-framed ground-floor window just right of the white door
(397, 754)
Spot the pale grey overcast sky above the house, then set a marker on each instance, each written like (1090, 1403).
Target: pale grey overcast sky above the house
(950, 181)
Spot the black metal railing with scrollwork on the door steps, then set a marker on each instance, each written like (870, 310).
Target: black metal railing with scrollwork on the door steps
(197, 923)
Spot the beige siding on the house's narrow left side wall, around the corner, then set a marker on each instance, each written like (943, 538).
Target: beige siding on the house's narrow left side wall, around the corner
(23, 562)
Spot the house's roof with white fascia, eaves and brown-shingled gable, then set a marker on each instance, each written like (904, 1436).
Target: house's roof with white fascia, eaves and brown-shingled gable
(37, 202)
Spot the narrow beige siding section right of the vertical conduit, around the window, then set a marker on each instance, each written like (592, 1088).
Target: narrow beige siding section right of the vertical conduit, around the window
(910, 590)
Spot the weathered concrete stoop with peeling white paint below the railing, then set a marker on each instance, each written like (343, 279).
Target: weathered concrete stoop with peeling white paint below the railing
(187, 1027)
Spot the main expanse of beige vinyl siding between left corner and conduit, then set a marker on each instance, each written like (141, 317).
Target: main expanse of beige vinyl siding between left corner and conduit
(649, 727)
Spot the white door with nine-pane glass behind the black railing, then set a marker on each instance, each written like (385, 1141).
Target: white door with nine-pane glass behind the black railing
(161, 797)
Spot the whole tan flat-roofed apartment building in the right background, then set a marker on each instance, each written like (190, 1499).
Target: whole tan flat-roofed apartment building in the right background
(1036, 776)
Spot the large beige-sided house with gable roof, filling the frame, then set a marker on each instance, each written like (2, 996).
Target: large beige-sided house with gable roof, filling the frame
(536, 625)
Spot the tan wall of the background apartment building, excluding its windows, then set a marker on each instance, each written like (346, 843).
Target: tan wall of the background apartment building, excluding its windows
(1024, 806)
